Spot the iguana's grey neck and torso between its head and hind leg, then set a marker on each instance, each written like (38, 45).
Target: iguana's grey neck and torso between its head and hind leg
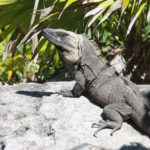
(102, 81)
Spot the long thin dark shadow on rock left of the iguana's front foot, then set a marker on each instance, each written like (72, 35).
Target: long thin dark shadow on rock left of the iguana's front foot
(35, 93)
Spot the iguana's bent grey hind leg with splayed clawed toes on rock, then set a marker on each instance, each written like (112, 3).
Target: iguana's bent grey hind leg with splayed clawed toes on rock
(114, 113)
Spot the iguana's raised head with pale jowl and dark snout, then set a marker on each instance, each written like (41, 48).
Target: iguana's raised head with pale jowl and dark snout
(66, 42)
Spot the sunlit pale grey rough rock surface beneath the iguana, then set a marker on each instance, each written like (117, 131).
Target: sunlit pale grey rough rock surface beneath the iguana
(34, 117)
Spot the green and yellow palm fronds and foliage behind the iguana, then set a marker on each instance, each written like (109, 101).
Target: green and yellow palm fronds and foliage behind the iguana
(26, 56)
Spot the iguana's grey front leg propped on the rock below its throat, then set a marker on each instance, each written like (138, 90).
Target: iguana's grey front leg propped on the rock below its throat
(78, 87)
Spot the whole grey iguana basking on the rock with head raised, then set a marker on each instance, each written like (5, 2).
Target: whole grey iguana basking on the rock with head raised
(120, 97)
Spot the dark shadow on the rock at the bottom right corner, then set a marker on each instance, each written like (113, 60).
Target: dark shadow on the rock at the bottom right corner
(134, 146)
